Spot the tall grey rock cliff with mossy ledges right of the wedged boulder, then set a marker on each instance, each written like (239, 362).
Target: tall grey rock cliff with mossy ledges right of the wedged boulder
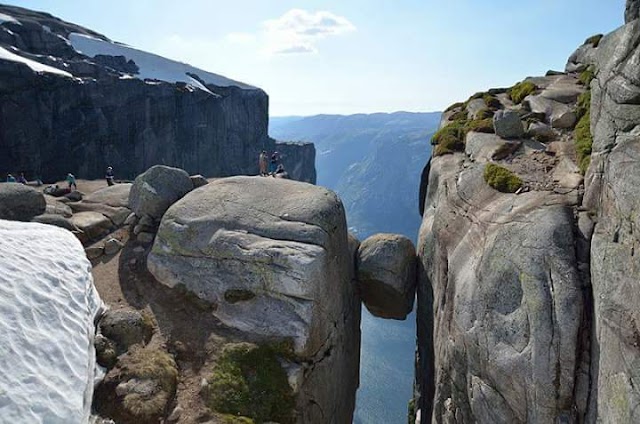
(527, 295)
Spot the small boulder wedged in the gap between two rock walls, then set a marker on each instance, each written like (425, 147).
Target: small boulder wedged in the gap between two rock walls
(387, 275)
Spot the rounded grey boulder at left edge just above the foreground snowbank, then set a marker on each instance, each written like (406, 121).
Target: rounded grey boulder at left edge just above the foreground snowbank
(19, 202)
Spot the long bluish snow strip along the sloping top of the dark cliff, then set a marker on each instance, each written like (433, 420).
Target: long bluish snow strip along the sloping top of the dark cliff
(151, 66)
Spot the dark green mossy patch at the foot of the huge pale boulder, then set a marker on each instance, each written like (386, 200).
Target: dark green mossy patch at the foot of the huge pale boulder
(248, 381)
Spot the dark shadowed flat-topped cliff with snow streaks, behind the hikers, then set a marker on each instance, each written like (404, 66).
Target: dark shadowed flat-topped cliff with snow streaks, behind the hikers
(73, 101)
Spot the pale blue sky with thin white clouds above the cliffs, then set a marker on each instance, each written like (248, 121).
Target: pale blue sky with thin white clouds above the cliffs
(353, 56)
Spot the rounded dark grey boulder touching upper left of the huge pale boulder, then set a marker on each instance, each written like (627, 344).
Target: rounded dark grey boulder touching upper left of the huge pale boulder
(158, 188)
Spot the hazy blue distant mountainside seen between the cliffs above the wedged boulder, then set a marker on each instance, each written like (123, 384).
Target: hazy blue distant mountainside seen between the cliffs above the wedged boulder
(363, 157)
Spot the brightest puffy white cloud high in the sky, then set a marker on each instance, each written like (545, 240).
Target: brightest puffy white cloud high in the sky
(298, 31)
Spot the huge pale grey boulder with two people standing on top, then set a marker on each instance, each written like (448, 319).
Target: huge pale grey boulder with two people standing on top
(272, 257)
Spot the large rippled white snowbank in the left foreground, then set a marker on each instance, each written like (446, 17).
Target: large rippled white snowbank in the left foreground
(48, 304)
